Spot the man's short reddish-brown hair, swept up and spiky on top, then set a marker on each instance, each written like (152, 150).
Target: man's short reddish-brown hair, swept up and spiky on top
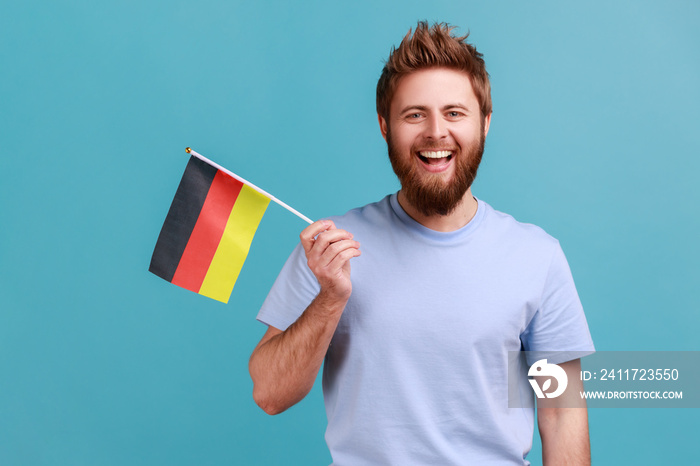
(433, 47)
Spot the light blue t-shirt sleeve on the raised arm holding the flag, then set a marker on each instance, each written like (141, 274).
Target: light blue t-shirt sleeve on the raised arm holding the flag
(295, 288)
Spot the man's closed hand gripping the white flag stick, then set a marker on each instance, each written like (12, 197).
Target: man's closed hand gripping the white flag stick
(328, 253)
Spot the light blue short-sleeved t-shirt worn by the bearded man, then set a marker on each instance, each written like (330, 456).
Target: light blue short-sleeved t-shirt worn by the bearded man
(417, 370)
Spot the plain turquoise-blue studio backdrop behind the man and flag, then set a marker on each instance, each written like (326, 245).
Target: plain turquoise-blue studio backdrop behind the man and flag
(594, 137)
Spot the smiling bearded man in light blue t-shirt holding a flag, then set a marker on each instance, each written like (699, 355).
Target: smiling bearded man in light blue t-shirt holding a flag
(415, 338)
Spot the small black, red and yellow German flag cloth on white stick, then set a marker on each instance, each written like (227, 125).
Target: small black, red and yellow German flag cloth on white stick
(208, 231)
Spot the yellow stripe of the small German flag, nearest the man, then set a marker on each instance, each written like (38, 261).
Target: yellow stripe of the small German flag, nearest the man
(235, 244)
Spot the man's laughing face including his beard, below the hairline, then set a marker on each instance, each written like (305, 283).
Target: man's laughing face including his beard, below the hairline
(435, 135)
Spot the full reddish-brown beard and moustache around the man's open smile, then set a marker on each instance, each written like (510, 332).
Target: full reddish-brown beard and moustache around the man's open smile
(428, 192)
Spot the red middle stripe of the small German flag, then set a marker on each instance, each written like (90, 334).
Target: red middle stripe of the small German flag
(207, 232)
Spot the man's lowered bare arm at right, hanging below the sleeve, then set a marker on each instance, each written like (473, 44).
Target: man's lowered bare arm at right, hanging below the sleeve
(564, 430)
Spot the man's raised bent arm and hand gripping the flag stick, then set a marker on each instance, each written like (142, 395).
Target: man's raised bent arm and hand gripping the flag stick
(284, 365)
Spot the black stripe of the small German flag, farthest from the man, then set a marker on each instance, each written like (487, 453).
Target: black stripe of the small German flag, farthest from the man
(182, 217)
